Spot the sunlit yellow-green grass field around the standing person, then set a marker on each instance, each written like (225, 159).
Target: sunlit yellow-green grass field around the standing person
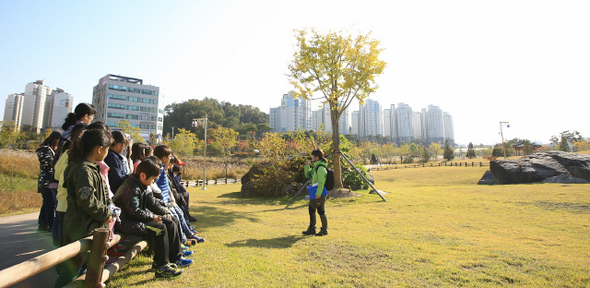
(437, 229)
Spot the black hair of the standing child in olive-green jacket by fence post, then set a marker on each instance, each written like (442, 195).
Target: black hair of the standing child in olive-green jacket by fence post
(86, 141)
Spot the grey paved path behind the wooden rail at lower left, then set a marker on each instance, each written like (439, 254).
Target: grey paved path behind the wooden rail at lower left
(19, 241)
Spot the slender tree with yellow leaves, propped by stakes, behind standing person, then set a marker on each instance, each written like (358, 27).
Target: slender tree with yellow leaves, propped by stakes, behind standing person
(339, 67)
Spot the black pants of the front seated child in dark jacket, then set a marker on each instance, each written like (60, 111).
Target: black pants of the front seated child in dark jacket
(166, 240)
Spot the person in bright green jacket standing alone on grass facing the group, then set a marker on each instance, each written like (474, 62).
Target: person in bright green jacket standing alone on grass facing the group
(316, 170)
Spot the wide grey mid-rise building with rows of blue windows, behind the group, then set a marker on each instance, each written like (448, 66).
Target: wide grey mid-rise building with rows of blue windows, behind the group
(120, 98)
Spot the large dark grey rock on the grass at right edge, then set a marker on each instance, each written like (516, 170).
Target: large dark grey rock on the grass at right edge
(540, 166)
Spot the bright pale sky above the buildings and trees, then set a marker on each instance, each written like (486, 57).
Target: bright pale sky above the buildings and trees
(483, 62)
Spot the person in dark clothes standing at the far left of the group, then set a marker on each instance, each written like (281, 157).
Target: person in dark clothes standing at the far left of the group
(46, 183)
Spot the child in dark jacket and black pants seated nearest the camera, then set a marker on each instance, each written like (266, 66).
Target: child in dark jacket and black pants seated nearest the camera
(141, 215)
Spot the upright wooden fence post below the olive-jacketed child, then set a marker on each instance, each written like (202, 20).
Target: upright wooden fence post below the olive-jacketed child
(96, 260)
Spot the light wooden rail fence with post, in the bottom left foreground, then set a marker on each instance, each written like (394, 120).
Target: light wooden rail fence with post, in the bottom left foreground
(96, 274)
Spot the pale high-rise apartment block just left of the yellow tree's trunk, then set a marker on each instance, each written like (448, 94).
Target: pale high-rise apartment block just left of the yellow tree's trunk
(293, 114)
